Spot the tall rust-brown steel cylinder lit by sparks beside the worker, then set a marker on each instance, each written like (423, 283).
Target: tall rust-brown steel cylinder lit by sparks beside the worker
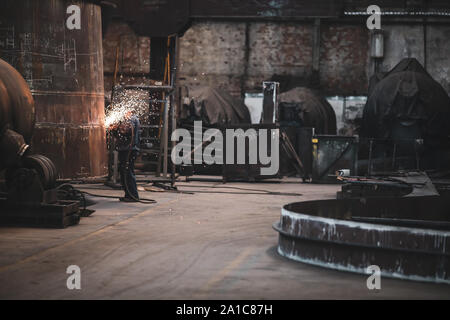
(64, 71)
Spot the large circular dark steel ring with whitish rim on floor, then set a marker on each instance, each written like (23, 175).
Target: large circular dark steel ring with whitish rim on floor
(323, 233)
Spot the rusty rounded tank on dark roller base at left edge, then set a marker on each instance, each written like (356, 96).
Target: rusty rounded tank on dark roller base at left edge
(31, 197)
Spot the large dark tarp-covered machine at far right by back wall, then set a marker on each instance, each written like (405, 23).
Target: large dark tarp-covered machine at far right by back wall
(406, 121)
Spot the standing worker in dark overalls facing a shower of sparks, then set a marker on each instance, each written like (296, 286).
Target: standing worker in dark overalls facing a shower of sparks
(128, 147)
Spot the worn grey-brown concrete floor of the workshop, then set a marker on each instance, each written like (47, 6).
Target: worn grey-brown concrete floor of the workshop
(187, 246)
